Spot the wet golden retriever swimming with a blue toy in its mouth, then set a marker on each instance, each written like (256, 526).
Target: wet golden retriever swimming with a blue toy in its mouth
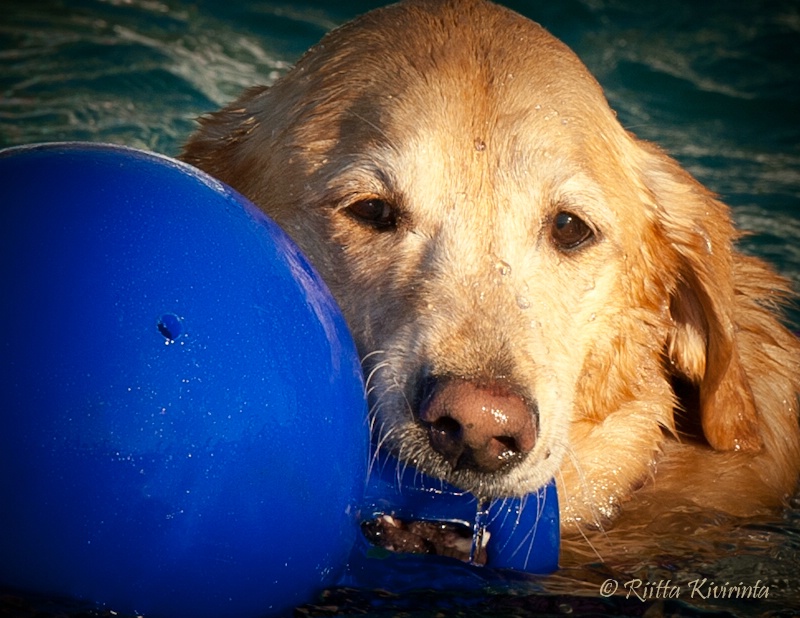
(535, 292)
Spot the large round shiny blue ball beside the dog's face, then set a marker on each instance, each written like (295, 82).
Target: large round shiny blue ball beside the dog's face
(182, 429)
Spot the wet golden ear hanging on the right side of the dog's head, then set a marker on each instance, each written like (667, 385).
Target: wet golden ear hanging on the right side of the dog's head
(701, 344)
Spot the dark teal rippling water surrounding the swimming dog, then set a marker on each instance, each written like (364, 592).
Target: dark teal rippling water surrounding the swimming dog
(714, 83)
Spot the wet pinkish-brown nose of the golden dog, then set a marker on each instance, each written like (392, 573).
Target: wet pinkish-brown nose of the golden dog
(481, 426)
